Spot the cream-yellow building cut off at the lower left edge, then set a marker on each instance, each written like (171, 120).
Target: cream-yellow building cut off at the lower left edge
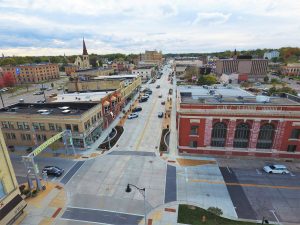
(11, 202)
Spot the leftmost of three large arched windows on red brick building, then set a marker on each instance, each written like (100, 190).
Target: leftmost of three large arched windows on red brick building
(218, 134)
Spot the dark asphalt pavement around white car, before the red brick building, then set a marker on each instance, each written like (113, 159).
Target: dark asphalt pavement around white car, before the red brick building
(256, 194)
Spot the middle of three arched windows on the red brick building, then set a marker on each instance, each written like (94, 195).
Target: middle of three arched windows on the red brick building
(241, 137)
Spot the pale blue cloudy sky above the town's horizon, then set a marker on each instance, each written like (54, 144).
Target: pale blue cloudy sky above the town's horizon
(56, 27)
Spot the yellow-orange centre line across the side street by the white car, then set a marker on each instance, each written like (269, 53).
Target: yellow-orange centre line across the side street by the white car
(247, 185)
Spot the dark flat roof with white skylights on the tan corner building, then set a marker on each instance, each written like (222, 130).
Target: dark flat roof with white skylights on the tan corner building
(48, 109)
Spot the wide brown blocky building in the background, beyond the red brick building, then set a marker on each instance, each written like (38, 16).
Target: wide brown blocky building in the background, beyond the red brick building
(255, 68)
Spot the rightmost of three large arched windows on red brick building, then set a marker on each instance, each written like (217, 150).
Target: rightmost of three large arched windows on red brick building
(265, 136)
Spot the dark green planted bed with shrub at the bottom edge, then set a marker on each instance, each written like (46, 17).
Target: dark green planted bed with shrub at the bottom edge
(188, 214)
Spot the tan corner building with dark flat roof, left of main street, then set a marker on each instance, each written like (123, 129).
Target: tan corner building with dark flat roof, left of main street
(29, 124)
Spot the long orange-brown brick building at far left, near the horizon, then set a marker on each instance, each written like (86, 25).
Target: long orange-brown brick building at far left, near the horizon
(33, 73)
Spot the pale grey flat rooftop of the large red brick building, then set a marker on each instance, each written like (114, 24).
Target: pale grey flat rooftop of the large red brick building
(219, 94)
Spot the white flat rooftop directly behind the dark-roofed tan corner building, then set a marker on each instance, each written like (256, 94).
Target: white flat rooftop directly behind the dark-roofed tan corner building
(82, 97)
